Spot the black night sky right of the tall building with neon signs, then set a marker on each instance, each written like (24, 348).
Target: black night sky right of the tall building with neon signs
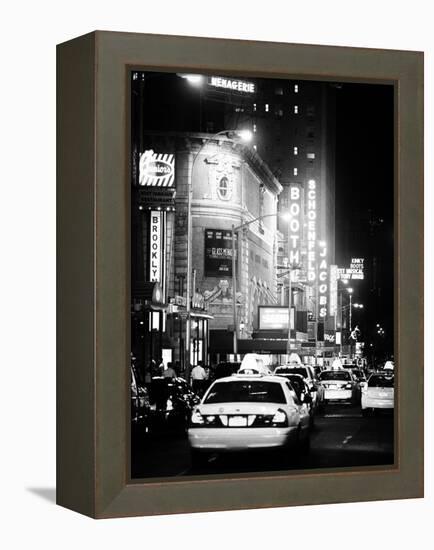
(364, 196)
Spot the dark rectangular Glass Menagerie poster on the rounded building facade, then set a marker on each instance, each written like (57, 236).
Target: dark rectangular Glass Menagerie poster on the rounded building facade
(218, 253)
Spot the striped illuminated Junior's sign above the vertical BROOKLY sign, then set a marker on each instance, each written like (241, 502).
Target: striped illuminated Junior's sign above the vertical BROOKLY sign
(156, 169)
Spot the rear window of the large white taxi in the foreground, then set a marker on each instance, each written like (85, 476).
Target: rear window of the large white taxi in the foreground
(246, 391)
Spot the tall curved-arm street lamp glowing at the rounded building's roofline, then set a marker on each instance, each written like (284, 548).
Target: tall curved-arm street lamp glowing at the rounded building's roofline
(234, 136)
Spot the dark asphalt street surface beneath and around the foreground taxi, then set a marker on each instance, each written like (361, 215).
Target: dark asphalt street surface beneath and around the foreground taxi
(341, 437)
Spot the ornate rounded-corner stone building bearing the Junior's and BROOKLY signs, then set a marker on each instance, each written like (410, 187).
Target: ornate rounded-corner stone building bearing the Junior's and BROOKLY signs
(229, 185)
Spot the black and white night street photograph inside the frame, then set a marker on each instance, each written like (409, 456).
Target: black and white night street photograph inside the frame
(262, 274)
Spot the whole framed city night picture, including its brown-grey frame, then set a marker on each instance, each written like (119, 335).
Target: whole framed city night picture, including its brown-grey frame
(240, 274)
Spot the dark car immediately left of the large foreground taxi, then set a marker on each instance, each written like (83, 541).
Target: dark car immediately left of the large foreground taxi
(172, 402)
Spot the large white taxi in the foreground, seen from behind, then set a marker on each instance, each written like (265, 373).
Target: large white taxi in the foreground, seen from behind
(246, 412)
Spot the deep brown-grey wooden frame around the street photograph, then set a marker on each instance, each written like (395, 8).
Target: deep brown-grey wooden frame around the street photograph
(93, 274)
